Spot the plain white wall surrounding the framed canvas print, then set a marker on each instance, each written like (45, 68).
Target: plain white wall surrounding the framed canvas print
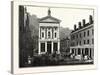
(5, 37)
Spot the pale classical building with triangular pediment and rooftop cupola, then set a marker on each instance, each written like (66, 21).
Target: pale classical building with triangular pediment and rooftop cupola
(49, 41)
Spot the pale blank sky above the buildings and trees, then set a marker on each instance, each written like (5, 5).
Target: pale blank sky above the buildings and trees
(68, 16)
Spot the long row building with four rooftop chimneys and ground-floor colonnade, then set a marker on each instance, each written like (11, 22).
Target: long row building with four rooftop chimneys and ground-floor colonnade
(82, 38)
